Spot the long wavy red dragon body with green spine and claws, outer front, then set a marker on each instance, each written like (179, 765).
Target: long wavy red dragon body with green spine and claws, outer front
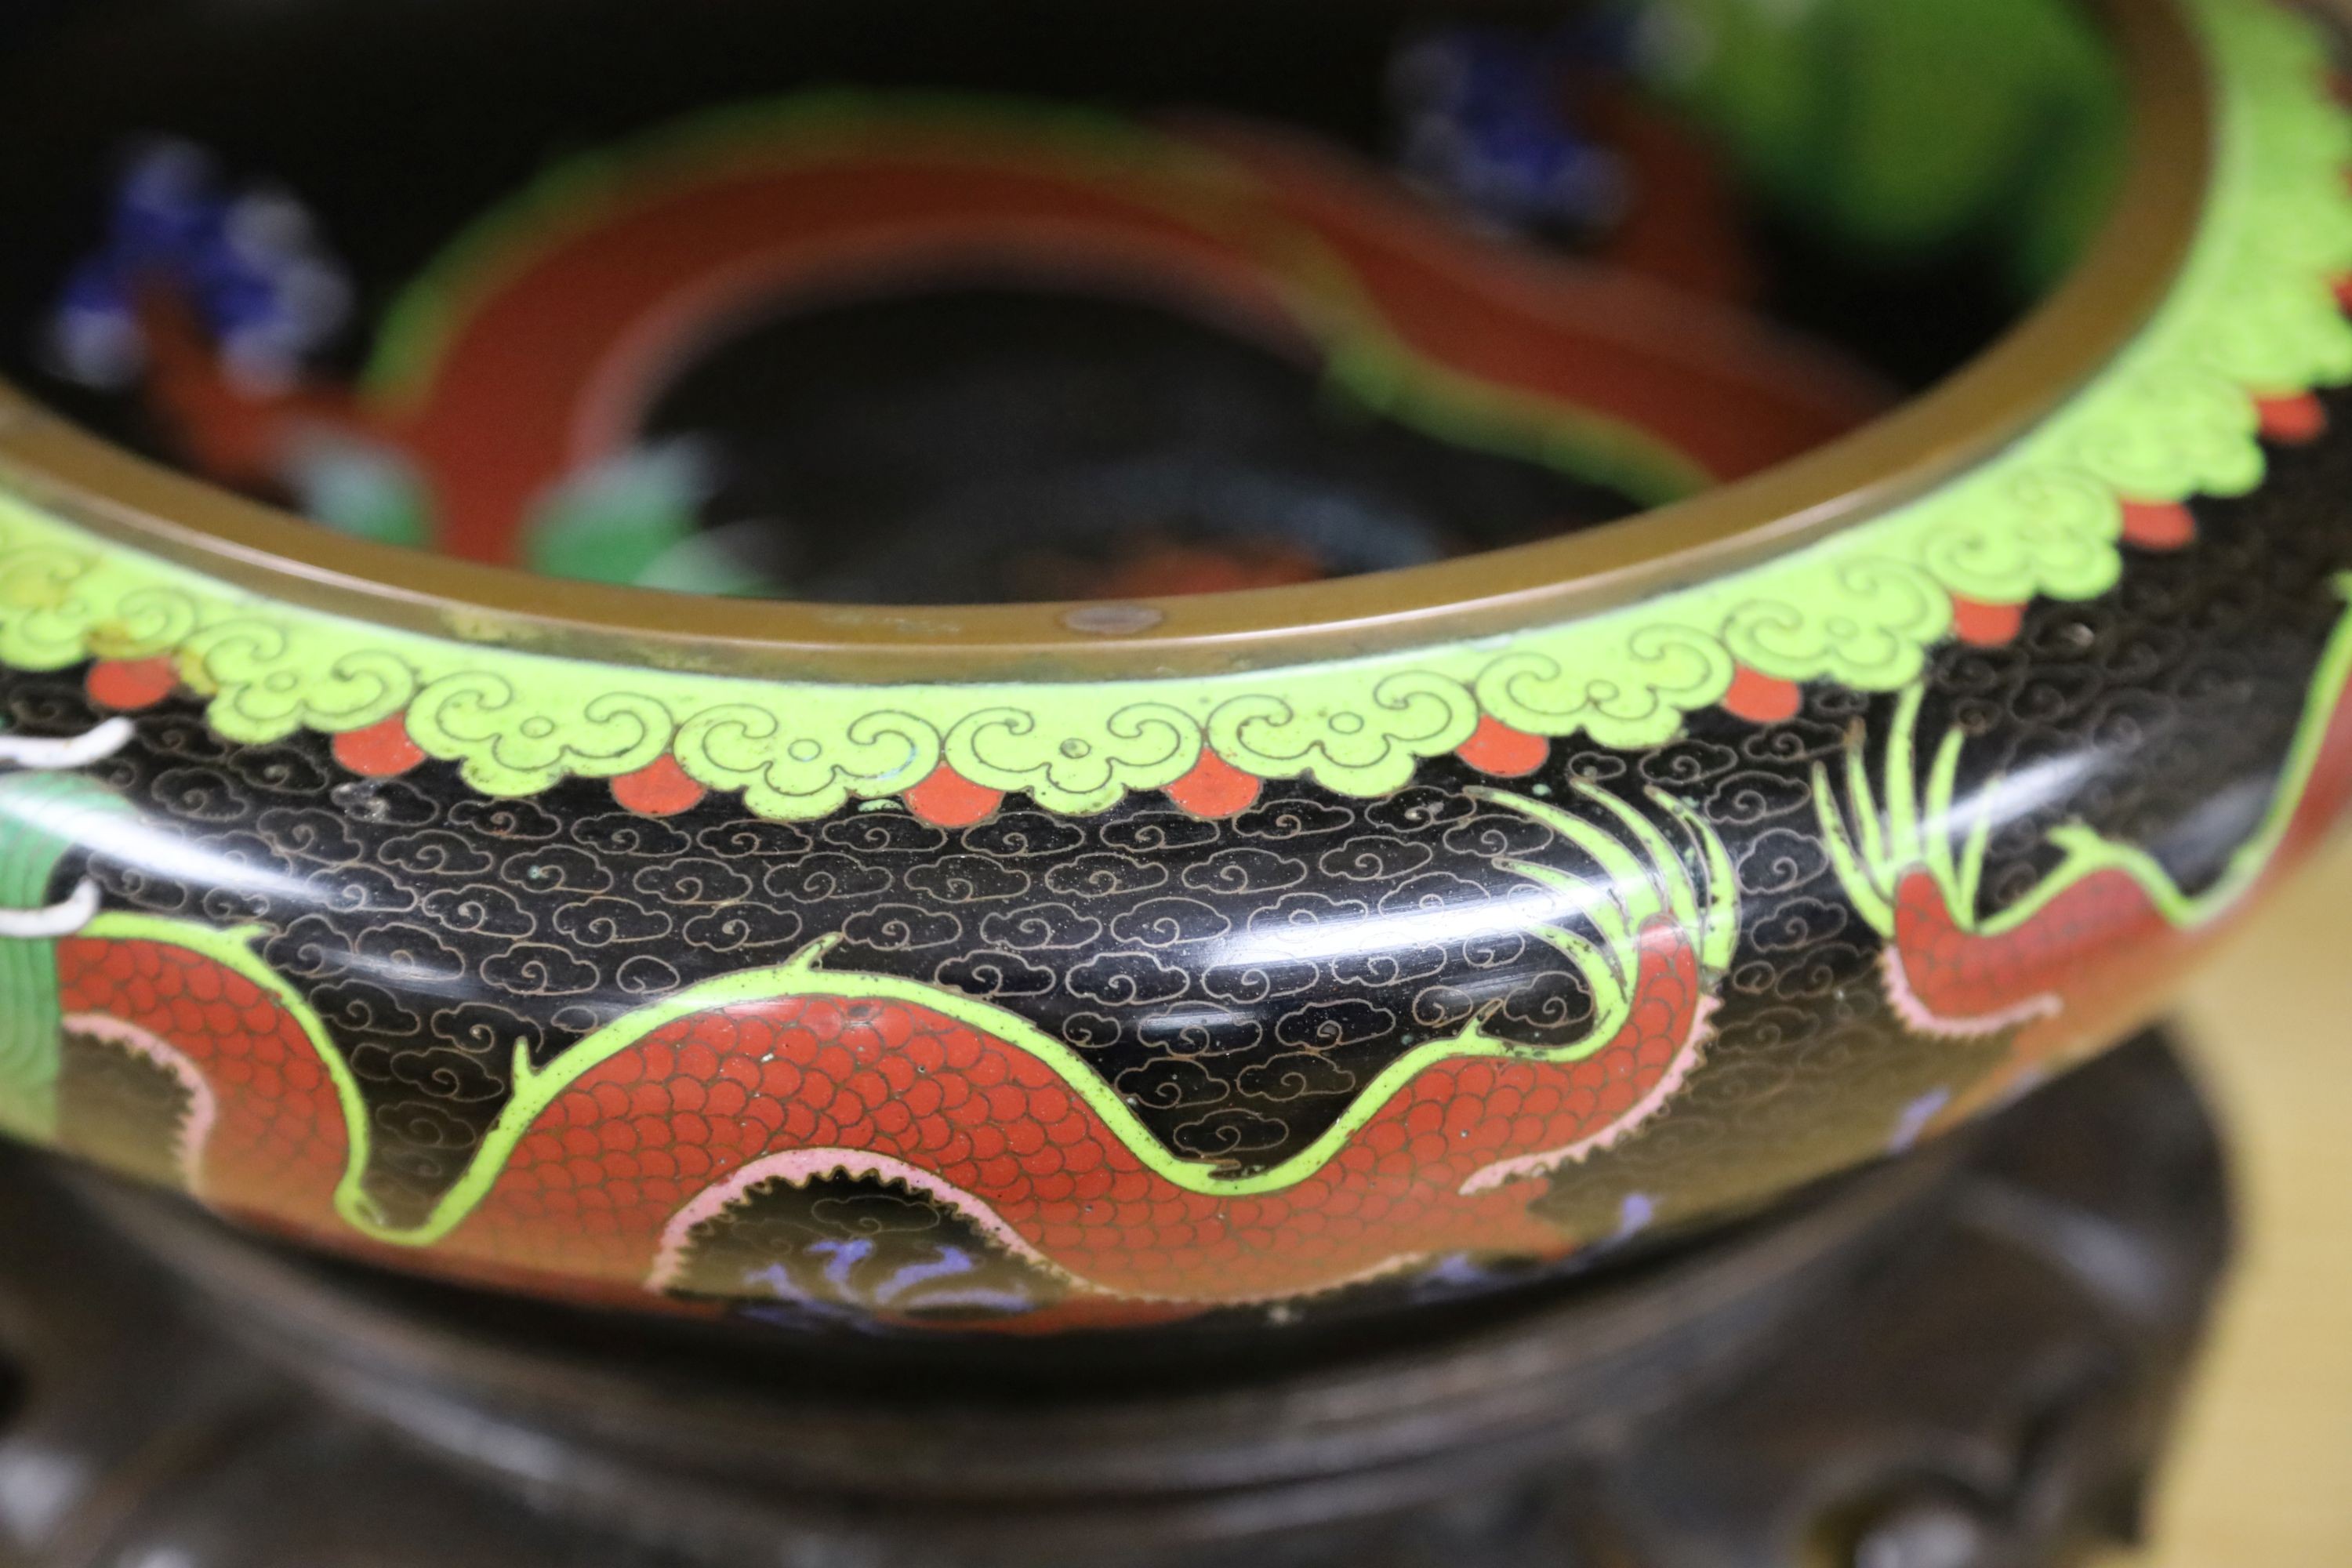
(617, 1153)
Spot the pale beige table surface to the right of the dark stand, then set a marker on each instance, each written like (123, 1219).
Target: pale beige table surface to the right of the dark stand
(2264, 1470)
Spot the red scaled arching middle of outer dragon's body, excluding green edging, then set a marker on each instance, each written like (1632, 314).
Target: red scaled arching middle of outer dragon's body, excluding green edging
(620, 1170)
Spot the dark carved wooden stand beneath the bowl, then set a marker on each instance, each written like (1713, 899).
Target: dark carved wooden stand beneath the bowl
(1960, 1360)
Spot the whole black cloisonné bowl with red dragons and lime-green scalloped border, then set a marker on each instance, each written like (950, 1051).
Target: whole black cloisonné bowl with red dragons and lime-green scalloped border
(1074, 666)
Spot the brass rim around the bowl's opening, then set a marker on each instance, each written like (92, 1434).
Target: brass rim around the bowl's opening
(1986, 406)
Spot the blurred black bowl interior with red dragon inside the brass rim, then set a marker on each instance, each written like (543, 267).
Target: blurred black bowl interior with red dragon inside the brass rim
(926, 304)
